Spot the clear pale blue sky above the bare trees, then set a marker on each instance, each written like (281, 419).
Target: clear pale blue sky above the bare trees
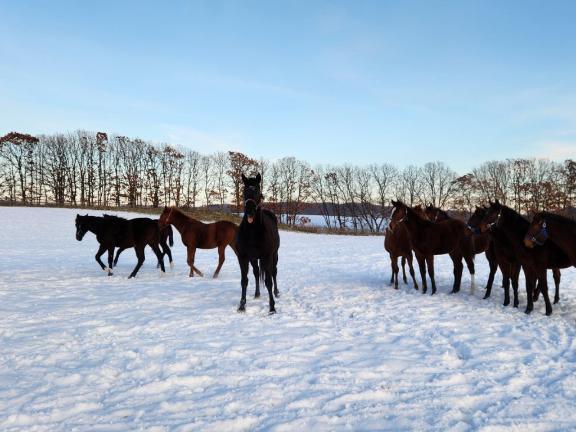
(334, 82)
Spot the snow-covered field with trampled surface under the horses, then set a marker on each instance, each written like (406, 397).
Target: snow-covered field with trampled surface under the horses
(83, 351)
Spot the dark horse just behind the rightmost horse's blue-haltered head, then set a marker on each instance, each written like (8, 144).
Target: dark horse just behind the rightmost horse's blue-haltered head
(534, 261)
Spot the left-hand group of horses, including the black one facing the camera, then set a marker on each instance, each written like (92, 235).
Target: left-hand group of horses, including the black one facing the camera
(255, 241)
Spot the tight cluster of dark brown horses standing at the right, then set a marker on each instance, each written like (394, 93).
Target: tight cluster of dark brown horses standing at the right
(509, 241)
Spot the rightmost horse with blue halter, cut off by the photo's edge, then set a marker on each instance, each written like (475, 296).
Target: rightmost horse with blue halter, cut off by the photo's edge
(560, 229)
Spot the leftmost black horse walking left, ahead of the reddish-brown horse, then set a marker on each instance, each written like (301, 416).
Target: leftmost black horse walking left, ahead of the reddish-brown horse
(114, 231)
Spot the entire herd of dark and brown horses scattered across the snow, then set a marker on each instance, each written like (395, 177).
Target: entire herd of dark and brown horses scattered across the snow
(510, 242)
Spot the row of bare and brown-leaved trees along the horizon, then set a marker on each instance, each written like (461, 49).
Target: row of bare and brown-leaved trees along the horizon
(97, 170)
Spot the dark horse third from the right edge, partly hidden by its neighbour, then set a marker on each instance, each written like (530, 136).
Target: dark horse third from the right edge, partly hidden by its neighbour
(505, 257)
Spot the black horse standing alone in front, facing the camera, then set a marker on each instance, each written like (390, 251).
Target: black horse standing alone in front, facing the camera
(257, 239)
